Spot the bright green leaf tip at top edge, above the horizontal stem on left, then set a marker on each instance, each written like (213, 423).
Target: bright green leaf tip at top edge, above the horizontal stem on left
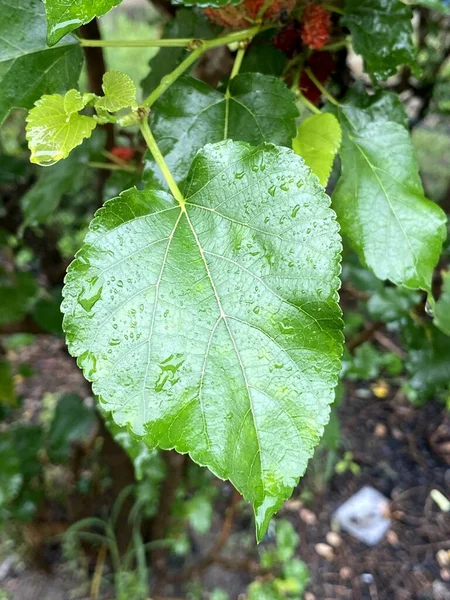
(65, 16)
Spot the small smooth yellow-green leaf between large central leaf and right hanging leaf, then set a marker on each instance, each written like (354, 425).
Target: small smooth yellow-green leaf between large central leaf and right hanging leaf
(317, 142)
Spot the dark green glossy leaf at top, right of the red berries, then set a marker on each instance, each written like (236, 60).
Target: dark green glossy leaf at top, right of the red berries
(382, 33)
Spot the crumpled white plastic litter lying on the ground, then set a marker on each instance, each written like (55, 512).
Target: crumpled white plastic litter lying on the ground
(364, 515)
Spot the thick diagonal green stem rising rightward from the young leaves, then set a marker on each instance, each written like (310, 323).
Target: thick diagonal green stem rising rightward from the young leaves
(204, 45)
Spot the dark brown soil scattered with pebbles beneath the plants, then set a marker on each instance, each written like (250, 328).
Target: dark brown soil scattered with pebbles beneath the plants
(402, 451)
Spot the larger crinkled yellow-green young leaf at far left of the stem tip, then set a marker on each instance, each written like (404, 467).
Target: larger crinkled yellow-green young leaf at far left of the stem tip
(52, 133)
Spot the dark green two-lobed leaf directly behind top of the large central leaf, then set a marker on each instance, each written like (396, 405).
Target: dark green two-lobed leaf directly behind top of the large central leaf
(260, 108)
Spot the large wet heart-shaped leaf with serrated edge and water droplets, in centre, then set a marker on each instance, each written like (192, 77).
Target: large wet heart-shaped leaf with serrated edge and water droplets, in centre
(214, 328)
